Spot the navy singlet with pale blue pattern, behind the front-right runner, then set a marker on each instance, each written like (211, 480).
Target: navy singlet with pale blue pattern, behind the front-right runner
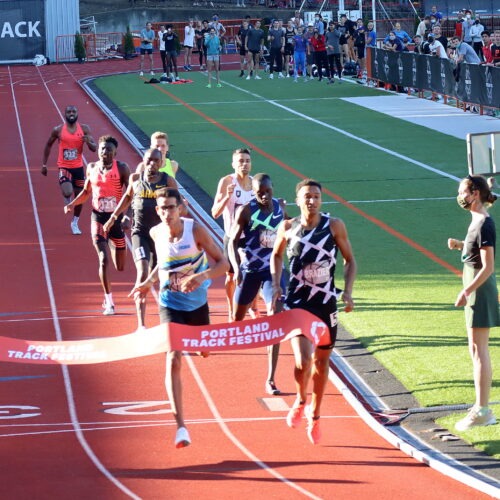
(260, 234)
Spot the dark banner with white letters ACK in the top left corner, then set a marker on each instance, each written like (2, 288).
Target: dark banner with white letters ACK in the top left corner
(22, 29)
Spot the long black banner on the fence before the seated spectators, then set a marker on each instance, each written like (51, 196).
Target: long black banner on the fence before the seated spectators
(477, 84)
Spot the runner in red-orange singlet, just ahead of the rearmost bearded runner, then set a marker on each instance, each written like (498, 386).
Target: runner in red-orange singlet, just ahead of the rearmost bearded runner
(106, 180)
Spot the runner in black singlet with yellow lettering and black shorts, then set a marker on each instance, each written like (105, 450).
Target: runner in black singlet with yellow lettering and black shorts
(141, 192)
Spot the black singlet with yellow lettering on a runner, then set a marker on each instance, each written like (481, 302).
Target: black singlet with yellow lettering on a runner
(144, 203)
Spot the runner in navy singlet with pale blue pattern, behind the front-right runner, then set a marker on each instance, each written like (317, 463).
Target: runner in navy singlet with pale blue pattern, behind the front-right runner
(258, 220)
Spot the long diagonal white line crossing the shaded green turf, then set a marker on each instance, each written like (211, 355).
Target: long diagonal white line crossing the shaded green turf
(345, 133)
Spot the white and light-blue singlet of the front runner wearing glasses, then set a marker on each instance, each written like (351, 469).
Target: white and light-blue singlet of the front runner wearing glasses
(176, 261)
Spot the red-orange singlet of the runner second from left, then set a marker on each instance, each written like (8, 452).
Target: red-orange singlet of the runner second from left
(107, 189)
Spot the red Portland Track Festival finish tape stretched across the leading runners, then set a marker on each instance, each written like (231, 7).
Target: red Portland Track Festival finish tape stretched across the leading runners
(248, 334)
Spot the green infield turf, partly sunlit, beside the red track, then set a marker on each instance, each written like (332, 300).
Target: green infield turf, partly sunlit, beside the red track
(392, 189)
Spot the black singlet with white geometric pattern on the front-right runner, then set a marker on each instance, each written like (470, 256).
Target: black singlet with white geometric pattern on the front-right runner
(313, 256)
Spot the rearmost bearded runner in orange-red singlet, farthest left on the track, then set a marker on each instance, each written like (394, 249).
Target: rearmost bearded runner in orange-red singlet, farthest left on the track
(71, 136)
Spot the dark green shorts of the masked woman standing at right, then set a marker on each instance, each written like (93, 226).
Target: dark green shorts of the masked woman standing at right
(481, 310)
